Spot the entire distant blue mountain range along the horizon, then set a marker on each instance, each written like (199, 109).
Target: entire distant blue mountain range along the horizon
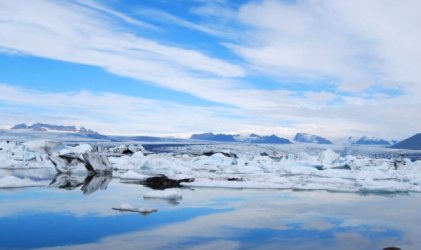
(75, 133)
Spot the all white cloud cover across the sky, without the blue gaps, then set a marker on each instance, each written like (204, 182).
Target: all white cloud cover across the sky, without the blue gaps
(354, 44)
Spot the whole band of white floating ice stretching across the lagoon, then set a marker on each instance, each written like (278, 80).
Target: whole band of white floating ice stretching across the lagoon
(223, 165)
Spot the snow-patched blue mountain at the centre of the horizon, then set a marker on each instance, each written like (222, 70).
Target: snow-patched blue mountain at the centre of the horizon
(252, 138)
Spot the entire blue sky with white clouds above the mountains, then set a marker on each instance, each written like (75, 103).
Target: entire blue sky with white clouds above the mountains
(164, 67)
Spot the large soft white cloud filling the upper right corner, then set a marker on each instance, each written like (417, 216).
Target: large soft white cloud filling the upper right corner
(356, 42)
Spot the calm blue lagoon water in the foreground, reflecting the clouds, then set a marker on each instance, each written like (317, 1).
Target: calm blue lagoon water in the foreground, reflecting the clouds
(206, 219)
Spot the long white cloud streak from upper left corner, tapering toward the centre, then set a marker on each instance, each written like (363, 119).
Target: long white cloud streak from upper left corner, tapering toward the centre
(81, 35)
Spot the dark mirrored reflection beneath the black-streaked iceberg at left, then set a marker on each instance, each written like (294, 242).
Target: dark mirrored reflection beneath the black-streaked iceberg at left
(90, 183)
